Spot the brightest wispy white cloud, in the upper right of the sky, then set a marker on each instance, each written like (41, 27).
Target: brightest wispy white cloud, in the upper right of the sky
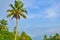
(52, 12)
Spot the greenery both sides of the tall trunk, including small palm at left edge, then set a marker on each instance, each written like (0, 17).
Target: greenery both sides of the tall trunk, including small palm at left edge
(7, 35)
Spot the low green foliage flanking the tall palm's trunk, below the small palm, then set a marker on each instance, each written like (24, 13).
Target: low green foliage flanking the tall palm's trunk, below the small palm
(5, 35)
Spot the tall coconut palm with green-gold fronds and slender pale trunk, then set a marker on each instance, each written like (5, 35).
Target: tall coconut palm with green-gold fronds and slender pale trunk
(16, 12)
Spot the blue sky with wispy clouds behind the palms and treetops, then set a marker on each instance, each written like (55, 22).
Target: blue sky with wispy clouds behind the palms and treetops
(43, 17)
